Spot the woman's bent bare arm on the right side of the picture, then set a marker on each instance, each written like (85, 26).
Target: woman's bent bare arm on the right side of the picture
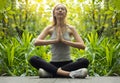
(78, 40)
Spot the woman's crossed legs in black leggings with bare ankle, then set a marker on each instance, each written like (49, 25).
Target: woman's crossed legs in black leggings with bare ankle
(63, 70)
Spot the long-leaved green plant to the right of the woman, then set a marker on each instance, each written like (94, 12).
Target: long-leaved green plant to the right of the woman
(103, 54)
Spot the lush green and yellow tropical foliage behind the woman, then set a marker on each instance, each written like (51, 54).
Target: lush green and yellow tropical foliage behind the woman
(97, 21)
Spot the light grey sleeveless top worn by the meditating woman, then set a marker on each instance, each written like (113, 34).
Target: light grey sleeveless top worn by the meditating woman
(60, 51)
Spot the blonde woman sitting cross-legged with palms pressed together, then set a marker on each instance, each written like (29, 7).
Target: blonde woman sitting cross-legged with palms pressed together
(61, 64)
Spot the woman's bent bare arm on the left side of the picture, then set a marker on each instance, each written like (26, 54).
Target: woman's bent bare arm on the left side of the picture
(40, 39)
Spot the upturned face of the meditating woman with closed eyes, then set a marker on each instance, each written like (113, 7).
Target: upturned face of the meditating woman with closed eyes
(60, 11)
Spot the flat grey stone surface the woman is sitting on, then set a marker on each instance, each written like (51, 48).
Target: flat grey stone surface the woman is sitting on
(36, 79)
